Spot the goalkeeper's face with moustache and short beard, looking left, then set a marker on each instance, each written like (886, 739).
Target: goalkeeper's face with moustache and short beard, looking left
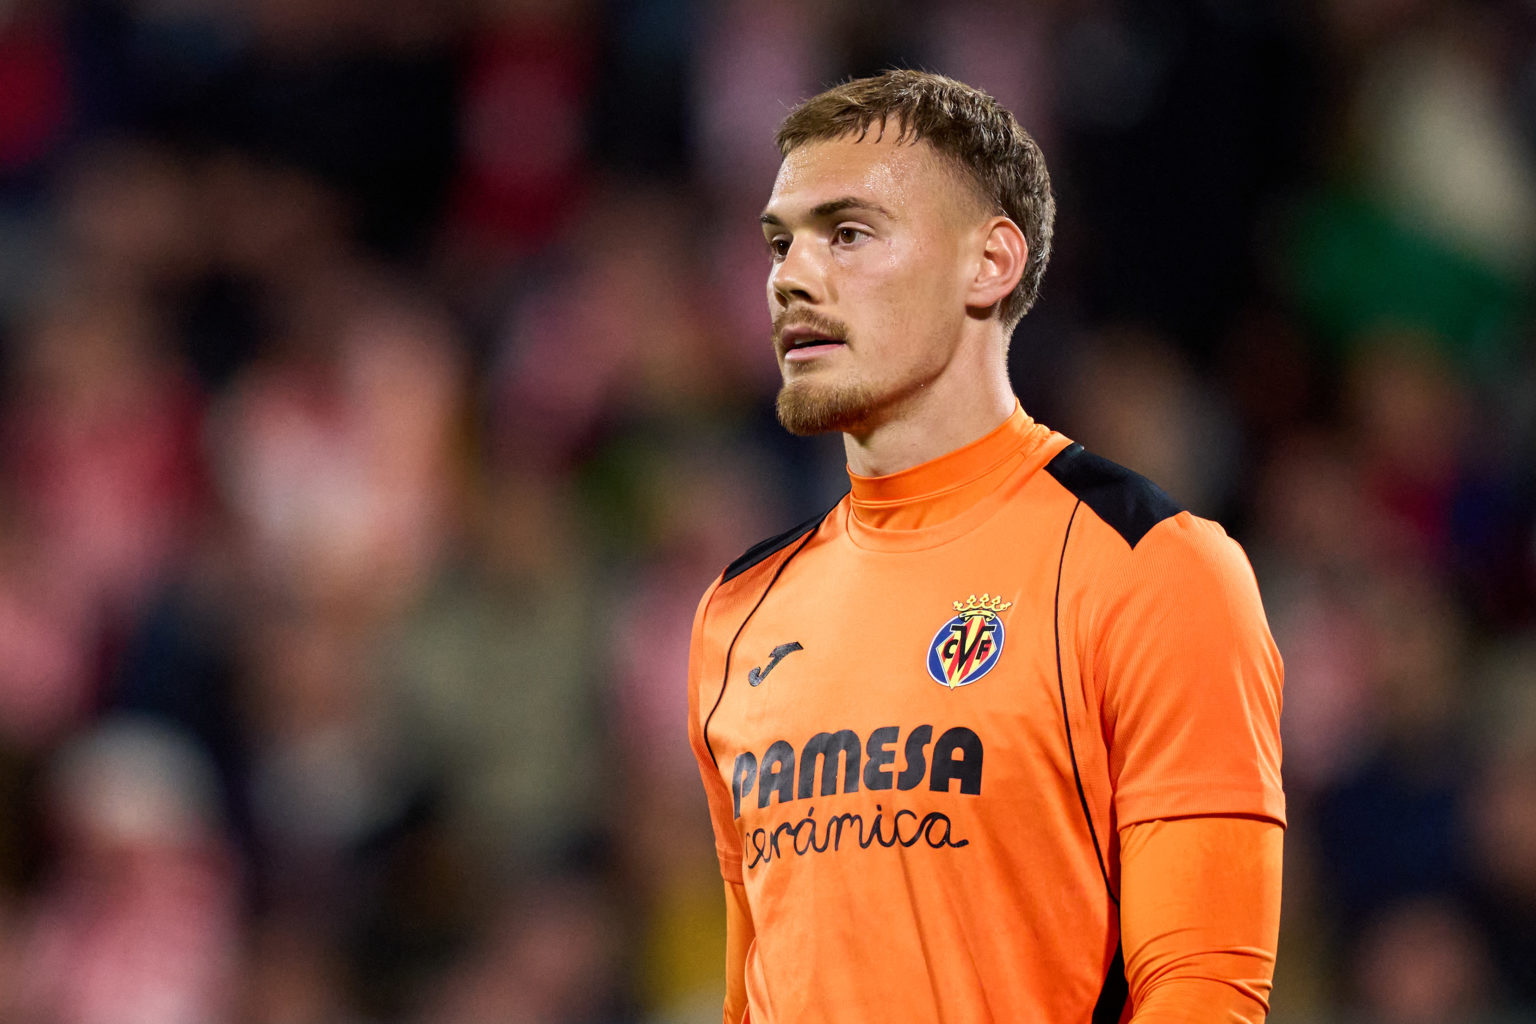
(870, 246)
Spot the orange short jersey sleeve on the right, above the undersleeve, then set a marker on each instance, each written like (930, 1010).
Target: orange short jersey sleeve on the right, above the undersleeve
(1191, 681)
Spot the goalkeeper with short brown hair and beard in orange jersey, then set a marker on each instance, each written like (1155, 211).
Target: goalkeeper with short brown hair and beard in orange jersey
(996, 739)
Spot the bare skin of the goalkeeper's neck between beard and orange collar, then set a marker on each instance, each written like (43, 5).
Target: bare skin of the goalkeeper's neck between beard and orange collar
(933, 424)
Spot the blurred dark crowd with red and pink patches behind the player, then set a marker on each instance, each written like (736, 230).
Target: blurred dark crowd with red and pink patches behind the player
(383, 382)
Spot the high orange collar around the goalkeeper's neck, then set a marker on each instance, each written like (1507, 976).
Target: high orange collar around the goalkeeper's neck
(942, 489)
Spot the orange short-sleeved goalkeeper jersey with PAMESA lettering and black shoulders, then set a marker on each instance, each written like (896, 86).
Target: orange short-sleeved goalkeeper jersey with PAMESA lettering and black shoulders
(924, 718)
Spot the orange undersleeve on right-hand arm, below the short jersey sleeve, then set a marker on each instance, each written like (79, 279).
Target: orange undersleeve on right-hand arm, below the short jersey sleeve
(1200, 919)
